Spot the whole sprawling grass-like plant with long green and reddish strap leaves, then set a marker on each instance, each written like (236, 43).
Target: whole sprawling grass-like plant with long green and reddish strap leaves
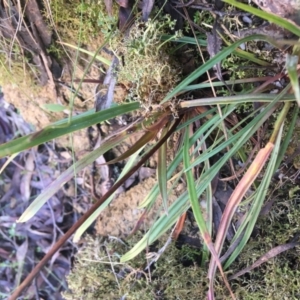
(168, 112)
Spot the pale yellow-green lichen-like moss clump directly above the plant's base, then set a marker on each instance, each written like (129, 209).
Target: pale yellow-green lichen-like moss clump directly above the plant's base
(148, 68)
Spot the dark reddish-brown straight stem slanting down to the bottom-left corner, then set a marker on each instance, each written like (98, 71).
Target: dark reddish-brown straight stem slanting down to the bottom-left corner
(68, 234)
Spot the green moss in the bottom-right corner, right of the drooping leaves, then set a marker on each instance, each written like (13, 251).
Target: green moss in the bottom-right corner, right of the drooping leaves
(279, 277)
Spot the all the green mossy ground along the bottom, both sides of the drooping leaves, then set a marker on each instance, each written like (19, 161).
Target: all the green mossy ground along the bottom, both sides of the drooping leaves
(178, 275)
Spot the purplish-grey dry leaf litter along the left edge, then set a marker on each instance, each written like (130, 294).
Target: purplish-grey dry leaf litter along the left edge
(23, 245)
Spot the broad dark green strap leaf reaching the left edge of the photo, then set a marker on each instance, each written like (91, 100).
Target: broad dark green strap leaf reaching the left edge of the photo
(64, 127)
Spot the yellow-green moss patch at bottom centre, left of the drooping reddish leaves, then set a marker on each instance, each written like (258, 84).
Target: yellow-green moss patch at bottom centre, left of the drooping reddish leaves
(98, 273)
